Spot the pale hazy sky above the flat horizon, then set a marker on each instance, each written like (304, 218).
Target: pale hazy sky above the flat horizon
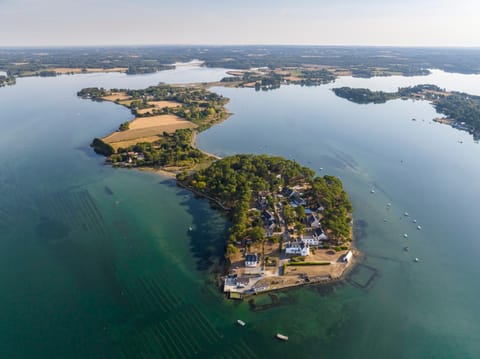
(240, 22)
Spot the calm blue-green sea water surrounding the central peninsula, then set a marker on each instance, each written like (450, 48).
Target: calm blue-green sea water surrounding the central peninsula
(99, 263)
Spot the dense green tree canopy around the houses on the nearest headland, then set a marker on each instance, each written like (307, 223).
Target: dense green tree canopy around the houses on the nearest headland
(239, 183)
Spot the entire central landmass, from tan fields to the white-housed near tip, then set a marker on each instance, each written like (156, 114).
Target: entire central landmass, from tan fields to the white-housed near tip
(288, 227)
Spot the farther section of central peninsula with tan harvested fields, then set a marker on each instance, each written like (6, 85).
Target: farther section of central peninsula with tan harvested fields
(162, 133)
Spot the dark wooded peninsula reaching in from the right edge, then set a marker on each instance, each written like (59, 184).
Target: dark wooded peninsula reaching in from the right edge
(461, 110)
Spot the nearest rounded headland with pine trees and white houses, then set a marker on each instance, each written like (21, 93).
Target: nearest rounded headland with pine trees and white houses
(289, 227)
